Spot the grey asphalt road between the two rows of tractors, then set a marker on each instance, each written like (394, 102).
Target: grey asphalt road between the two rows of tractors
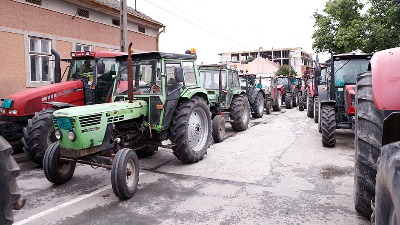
(276, 172)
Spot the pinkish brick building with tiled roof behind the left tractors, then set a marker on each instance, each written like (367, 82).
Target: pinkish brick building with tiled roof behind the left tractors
(29, 29)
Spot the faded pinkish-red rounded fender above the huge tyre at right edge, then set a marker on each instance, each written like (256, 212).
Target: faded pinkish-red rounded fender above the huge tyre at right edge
(386, 79)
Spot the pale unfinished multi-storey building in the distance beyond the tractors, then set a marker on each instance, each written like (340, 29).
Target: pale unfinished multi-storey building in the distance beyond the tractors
(299, 59)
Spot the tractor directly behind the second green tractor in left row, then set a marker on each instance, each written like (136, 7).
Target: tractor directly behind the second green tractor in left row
(256, 95)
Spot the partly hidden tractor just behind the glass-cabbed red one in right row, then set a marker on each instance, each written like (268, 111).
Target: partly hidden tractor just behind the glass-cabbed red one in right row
(318, 81)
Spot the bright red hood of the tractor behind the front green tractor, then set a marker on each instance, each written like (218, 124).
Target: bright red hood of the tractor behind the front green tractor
(32, 100)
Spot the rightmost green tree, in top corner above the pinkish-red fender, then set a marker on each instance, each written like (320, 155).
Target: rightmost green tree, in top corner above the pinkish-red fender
(382, 26)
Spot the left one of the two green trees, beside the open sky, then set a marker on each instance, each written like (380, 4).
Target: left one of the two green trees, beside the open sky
(340, 28)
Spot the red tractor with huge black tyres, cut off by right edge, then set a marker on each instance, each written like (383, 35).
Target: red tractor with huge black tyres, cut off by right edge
(377, 140)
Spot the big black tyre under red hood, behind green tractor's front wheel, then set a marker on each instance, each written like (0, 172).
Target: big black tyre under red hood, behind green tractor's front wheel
(39, 135)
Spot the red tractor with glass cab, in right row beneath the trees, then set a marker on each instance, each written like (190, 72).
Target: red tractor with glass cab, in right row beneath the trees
(337, 98)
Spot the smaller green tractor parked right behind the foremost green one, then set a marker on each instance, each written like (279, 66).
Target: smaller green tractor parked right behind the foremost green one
(227, 100)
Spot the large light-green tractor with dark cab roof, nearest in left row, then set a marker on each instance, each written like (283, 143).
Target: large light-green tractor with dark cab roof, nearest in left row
(157, 97)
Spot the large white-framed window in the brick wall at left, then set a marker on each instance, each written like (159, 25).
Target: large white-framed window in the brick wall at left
(39, 57)
